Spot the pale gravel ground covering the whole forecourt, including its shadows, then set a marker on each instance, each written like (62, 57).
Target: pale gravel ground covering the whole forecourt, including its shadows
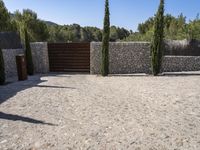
(60, 112)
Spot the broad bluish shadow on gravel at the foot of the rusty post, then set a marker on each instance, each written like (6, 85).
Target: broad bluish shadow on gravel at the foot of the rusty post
(12, 89)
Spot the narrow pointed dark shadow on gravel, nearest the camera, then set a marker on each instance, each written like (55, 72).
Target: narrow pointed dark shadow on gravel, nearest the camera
(12, 117)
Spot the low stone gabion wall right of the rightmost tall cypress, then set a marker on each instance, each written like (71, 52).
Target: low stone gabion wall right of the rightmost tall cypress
(181, 63)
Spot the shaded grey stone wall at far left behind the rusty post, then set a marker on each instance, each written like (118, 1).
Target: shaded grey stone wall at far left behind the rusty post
(10, 61)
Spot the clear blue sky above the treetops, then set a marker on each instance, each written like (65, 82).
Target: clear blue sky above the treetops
(124, 13)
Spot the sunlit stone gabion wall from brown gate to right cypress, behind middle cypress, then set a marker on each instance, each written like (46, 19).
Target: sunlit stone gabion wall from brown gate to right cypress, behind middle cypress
(125, 57)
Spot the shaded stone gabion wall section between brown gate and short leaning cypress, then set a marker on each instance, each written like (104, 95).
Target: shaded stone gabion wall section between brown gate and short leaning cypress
(40, 57)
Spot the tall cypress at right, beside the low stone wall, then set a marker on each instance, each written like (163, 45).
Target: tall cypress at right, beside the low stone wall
(157, 42)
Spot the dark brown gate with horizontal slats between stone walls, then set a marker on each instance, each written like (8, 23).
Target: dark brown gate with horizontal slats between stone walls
(69, 57)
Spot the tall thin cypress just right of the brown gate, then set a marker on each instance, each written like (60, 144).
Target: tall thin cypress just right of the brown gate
(105, 42)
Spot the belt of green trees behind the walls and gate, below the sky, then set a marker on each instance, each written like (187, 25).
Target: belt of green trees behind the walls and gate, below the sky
(176, 28)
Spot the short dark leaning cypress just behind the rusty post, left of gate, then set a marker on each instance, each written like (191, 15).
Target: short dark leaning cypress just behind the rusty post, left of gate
(29, 61)
